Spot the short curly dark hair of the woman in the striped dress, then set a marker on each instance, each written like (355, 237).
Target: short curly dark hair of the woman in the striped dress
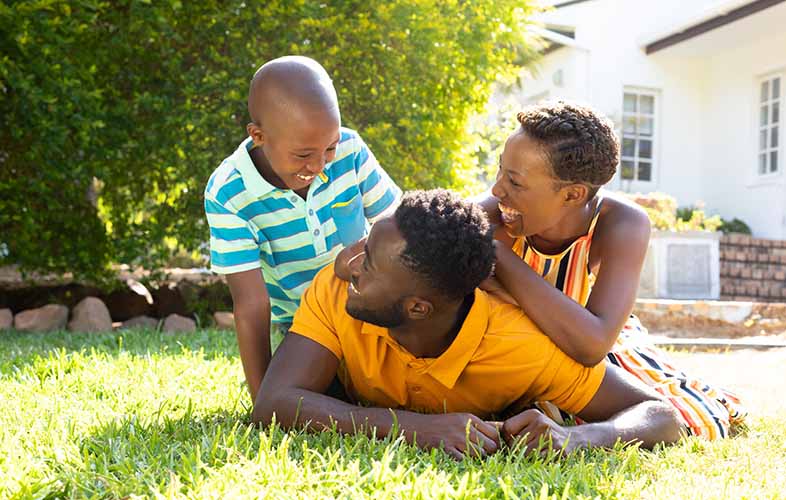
(579, 143)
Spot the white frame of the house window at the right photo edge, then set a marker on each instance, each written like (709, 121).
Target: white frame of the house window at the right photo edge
(767, 128)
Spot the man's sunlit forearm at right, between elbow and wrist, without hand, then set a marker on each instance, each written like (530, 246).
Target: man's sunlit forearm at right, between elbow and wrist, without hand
(649, 423)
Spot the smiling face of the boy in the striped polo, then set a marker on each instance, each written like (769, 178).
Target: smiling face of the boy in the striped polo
(297, 145)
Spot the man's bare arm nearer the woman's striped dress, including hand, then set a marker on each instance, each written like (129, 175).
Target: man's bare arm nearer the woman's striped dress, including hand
(623, 409)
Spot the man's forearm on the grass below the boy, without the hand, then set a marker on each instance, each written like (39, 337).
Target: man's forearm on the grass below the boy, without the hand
(295, 408)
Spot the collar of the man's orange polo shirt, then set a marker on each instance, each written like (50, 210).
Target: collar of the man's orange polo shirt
(447, 368)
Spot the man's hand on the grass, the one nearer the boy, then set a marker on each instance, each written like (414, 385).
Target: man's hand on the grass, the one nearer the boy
(459, 434)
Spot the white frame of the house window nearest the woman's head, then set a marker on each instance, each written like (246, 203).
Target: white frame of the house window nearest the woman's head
(636, 183)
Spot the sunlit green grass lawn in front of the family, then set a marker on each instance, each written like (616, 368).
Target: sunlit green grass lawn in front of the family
(143, 414)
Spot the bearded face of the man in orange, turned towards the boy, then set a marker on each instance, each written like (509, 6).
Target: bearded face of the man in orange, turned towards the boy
(380, 285)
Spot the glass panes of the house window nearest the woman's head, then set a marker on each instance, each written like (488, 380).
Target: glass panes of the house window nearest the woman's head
(638, 136)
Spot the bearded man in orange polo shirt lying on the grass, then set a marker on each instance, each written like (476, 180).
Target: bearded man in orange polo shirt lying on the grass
(424, 352)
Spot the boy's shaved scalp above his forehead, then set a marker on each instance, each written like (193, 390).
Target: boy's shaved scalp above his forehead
(290, 85)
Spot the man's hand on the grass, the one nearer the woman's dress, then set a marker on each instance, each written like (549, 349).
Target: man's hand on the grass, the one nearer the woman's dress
(532, 425)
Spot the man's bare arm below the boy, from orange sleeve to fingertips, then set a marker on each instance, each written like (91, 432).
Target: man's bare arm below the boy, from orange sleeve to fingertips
(301, 371)
